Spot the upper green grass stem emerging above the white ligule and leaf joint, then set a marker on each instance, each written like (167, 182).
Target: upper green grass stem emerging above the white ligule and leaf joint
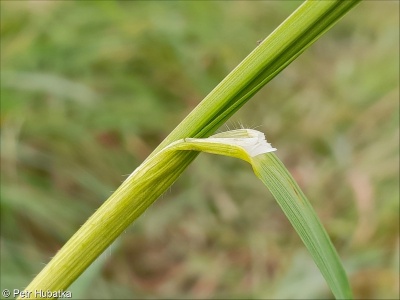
(297, 33)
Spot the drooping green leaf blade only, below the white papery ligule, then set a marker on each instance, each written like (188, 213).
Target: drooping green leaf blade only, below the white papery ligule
(302, 216)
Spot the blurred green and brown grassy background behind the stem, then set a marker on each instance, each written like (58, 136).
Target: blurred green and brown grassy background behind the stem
(89, 89)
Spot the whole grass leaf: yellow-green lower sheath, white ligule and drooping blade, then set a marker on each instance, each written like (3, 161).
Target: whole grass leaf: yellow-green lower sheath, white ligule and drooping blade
(157, 173)
